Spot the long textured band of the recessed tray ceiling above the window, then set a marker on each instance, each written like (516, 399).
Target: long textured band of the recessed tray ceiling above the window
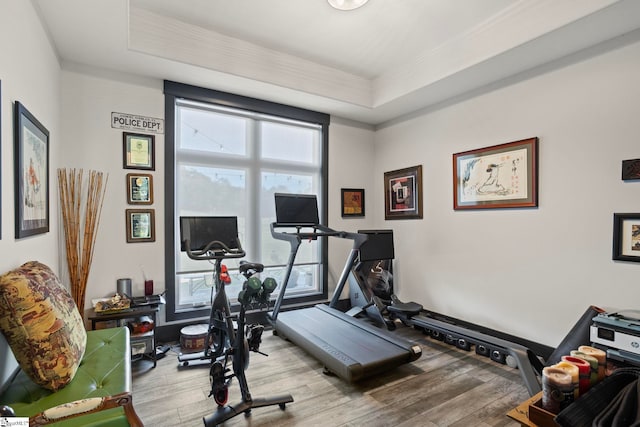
(169, 38)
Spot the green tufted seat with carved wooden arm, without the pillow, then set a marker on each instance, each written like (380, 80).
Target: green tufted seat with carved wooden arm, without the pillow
(100, 390)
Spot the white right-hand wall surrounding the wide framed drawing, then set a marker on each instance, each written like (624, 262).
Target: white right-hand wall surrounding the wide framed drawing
(529, 272)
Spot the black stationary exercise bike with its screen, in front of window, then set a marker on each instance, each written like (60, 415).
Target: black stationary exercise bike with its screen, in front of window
(224, 341)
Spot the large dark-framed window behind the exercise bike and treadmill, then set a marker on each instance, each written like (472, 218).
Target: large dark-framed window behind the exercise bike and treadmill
(227, 155)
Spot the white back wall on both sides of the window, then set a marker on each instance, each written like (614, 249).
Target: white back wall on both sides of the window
(89, 97)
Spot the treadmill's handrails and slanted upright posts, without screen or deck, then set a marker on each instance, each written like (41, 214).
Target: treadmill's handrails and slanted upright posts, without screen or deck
(296, 238)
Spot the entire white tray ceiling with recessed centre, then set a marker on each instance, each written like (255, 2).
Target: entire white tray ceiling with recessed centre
(374, 64)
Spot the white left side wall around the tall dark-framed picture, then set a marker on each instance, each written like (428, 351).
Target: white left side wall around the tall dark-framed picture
(29, 73)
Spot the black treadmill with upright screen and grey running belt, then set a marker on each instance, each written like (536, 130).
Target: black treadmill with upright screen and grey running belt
(350, 348)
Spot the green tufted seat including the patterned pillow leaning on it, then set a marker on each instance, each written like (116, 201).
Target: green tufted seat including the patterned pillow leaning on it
(67, 376)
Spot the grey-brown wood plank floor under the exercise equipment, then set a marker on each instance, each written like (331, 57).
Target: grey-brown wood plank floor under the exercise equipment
(445, 387)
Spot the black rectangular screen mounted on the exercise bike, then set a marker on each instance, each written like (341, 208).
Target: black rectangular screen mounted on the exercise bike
(202, 230)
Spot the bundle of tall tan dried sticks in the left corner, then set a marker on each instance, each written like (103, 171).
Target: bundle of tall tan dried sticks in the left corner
(81, 217)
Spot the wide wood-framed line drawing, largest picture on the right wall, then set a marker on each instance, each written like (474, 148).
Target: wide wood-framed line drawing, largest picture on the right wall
(501, 176)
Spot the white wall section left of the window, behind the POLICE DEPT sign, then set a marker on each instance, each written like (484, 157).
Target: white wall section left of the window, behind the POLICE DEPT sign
(91, 143)
